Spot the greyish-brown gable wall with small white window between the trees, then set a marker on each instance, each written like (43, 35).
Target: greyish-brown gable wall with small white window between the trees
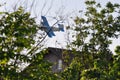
(55, 56)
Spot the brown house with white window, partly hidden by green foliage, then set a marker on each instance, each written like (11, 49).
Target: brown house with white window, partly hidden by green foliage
(60, 58)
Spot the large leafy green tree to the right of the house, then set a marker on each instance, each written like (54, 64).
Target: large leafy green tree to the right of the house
(94, 60)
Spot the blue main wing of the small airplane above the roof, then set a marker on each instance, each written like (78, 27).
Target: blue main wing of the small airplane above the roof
(48, 29)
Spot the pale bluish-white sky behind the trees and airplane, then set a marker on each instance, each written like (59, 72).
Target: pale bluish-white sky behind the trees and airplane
(51, 9)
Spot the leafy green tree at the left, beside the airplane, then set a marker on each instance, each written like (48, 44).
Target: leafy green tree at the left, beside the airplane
(17, 32)
